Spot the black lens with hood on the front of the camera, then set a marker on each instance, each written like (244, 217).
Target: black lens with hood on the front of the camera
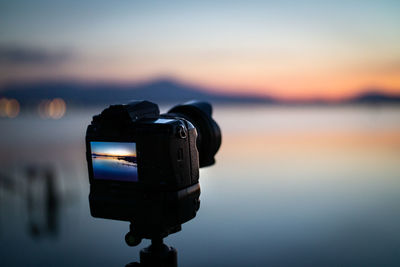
(208, 132)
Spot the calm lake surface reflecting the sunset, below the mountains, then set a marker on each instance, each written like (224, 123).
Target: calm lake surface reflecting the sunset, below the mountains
(291, 187)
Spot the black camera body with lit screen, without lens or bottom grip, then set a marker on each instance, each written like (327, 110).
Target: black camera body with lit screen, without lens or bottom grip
(160, 149)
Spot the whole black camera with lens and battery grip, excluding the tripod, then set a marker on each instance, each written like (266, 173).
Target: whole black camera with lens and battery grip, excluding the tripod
(144, 167)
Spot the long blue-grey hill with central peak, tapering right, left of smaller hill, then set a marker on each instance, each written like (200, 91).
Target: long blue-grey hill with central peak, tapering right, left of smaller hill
(87, 94)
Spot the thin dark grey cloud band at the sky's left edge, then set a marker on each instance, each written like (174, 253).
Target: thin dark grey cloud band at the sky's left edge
(23, 55)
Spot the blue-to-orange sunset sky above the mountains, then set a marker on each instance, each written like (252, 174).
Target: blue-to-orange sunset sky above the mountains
(288, 49)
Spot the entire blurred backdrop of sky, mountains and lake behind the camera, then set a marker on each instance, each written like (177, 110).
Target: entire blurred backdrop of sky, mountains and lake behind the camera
(307, 95)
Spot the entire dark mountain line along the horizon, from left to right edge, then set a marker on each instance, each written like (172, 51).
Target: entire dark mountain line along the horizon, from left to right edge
(161, 91)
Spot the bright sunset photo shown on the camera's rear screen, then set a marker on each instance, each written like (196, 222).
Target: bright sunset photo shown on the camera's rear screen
(114, 161)
